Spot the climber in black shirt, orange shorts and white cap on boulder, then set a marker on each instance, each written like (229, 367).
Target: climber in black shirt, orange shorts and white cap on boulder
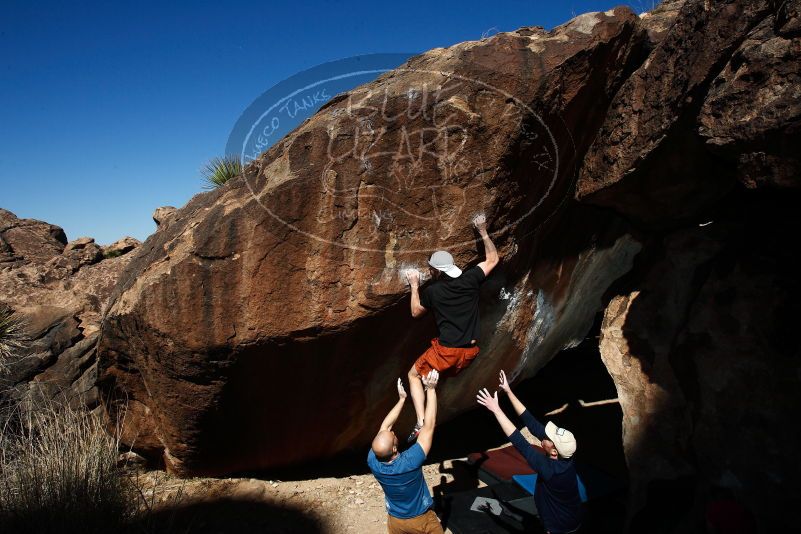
(453, 297)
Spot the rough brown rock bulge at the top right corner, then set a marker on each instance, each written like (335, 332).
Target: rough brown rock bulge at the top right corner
(752, 112)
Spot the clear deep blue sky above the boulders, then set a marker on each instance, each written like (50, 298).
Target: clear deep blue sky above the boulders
(108, 109)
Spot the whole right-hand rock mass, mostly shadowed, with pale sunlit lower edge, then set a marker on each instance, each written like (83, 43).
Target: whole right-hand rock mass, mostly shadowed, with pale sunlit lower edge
(694, 148)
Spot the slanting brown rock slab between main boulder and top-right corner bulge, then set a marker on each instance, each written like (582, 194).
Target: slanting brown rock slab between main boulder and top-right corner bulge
(638, 163)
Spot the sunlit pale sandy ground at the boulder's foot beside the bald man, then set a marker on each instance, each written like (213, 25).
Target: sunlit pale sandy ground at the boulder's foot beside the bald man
(350, 504)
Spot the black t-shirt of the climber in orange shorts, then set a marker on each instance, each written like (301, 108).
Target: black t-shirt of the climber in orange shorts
(454, 302)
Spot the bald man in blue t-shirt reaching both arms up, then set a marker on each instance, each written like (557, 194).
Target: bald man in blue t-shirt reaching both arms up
(407, 497)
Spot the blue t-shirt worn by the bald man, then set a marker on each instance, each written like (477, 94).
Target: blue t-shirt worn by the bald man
(405, 490)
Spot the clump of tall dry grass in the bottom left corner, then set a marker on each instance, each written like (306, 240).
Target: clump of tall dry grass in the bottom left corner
(59, 473)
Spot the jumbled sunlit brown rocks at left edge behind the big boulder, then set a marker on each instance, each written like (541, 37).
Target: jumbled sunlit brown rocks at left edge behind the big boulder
(58, 289)
